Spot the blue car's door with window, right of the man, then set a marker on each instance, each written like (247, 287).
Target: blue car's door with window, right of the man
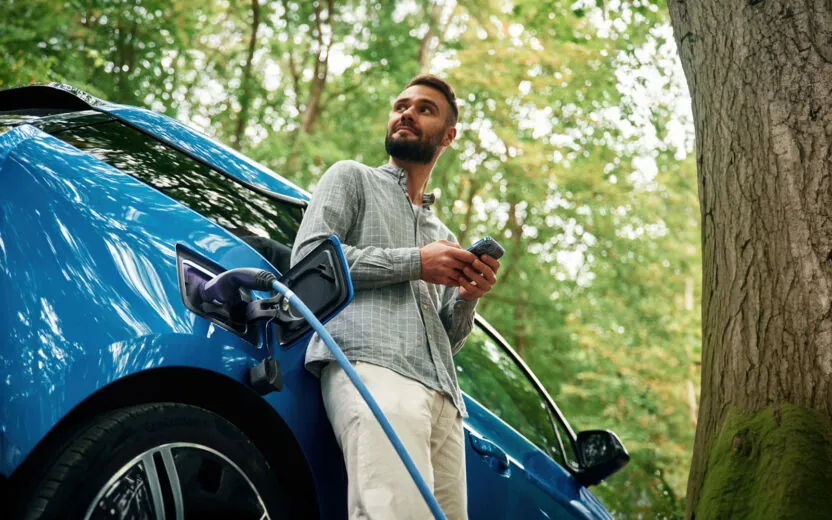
(516, 456)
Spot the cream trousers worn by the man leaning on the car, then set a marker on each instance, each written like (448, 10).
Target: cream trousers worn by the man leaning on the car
(429, 426)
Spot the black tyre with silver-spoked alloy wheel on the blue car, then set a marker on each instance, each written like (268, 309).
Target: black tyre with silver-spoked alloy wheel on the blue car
(106, 470)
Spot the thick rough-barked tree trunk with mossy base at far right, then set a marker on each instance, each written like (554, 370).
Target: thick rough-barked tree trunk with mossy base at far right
(760, 76)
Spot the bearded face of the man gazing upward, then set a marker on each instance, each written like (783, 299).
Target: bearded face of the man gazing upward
(418, 125)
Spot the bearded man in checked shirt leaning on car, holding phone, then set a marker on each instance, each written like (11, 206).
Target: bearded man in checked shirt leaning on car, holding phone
(415, 294)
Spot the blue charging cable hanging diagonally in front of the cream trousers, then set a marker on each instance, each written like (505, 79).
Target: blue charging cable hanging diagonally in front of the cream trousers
(298, 304)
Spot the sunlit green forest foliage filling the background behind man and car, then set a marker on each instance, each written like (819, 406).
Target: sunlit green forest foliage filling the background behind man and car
(569, 153)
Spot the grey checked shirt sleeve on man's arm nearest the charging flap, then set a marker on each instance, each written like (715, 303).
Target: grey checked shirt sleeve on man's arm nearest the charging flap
(335, 209)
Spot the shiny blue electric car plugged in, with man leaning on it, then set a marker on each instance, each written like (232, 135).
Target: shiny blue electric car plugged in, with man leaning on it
(128, 394)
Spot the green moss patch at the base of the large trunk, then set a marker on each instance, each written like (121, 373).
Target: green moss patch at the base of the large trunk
(775, 463)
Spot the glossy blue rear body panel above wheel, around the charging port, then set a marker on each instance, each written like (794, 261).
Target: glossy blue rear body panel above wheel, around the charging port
(90, 291)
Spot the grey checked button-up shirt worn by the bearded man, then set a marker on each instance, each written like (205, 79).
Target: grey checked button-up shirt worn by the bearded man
(396, 320)
